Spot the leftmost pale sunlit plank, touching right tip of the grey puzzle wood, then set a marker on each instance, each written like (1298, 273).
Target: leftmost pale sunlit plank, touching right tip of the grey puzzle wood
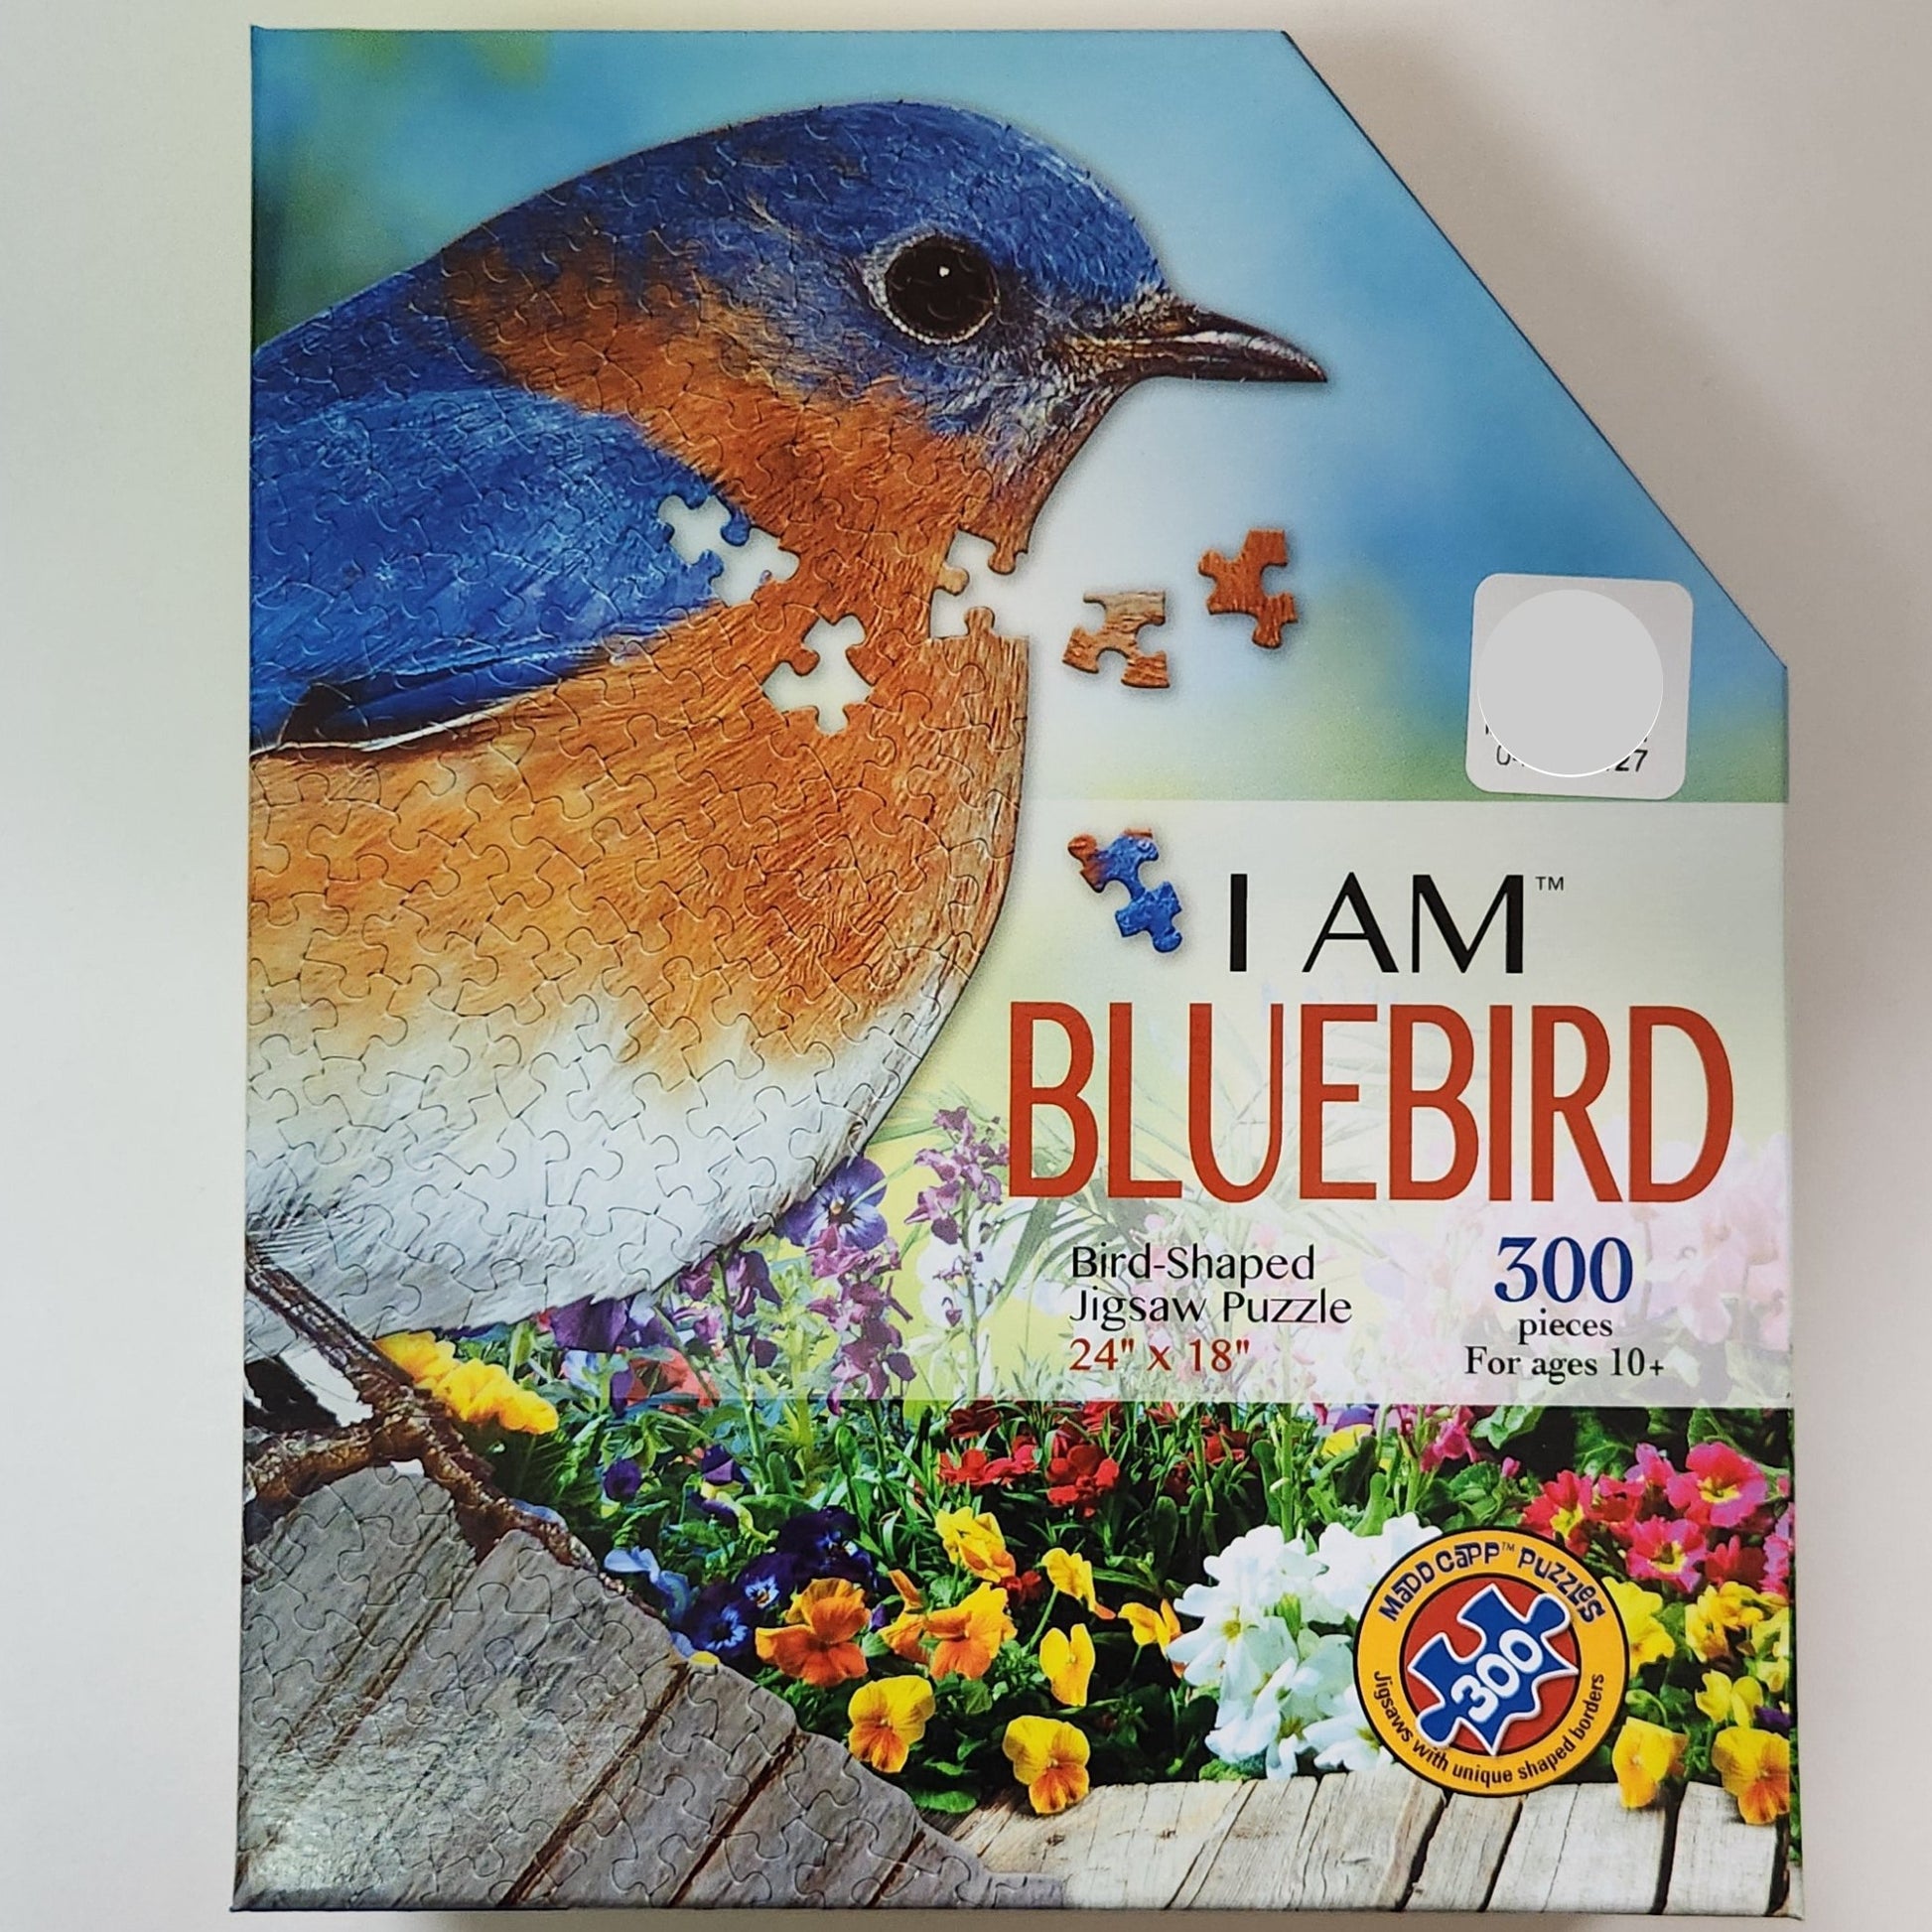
(1122, 1846)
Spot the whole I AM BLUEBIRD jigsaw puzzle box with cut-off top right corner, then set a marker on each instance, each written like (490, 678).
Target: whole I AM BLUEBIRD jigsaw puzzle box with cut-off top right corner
(1017, 1094)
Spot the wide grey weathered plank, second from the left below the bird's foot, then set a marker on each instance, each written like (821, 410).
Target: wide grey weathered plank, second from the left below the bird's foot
(501, 1722)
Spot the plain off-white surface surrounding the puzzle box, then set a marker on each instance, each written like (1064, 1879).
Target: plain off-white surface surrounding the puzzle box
(1711, 219)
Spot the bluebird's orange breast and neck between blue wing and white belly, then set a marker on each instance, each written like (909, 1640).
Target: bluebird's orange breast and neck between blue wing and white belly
(654, 832)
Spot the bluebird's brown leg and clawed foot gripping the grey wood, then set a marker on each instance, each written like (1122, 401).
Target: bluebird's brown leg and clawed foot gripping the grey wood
(405, 1425)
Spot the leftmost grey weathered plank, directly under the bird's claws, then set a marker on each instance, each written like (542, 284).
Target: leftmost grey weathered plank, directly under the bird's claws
(333, 1601)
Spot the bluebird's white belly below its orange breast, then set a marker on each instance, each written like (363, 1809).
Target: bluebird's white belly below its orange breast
(478, 1170)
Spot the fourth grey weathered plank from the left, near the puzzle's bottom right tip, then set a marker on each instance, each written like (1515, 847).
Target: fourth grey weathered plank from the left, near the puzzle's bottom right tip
(820, 1831)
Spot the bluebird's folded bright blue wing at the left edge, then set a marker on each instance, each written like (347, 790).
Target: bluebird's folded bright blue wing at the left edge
(422, 559)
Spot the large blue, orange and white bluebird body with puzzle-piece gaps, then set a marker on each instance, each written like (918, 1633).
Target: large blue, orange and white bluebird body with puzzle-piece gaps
(573, 957)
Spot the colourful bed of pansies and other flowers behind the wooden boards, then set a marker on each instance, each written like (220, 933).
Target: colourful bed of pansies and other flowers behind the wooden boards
(1052, 1595)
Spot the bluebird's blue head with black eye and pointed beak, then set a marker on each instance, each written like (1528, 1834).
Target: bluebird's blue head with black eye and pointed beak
(969, 271)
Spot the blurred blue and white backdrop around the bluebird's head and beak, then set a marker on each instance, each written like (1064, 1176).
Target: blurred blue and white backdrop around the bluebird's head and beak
(1442, 449)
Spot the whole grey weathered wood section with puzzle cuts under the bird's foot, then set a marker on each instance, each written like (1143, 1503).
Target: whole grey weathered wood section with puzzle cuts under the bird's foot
(426, 1730)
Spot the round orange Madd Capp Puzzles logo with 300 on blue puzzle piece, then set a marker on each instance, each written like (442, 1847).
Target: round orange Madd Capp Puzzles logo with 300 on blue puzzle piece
(1491, 1662)
